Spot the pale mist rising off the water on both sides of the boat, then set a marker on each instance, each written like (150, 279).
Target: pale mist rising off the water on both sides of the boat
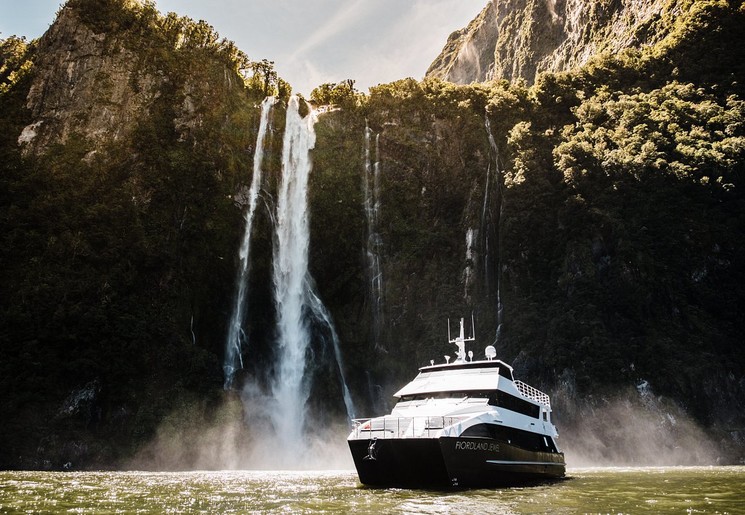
(634, 428)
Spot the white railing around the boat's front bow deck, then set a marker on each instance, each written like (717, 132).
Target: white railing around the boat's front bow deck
(402, 427)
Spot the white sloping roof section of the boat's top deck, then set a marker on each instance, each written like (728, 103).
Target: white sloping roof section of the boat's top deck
(459, 376)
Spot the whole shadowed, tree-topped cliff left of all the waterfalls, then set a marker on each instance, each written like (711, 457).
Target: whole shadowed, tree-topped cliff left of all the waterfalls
(124, 145)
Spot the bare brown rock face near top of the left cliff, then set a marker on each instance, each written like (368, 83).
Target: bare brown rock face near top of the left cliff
(86, 84)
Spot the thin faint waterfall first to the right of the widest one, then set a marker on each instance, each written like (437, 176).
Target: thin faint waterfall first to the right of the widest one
(371, 189)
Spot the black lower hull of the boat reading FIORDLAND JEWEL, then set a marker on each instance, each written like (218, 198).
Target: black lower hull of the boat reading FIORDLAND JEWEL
(451, 462)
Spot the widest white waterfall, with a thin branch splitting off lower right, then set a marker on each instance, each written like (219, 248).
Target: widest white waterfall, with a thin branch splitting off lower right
(294, 297)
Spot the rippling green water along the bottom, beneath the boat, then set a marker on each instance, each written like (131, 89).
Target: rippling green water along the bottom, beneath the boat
(601, 490)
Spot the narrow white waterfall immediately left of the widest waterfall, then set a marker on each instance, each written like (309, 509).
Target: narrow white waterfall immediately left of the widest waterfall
(233, 360)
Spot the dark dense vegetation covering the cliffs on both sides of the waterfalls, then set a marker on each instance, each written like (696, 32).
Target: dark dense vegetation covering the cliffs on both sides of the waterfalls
(608, 220)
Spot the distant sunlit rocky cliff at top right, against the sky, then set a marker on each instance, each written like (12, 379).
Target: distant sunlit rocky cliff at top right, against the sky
(514, 39)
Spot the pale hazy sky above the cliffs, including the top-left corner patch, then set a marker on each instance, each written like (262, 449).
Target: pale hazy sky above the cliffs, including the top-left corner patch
(310, 41)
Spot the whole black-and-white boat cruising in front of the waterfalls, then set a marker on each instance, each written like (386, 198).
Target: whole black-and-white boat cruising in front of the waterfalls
(460, 424)
